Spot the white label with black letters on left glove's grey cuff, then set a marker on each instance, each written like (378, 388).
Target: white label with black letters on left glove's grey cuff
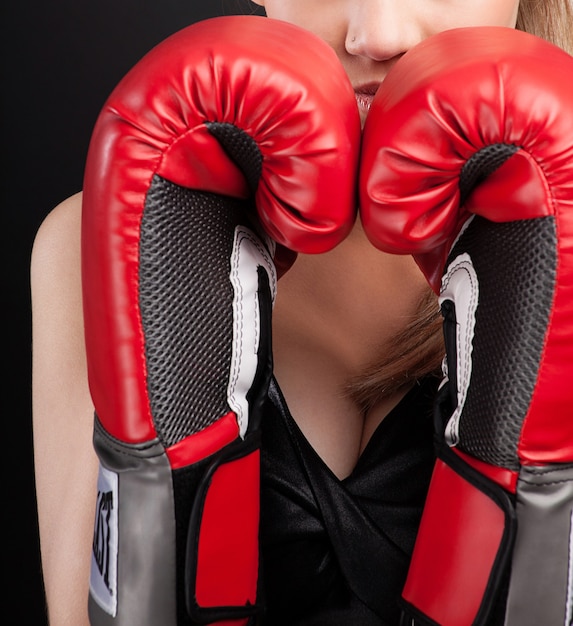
(103, 575)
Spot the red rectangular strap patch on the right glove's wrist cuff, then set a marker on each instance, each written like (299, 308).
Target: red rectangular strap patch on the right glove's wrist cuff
(457, 543)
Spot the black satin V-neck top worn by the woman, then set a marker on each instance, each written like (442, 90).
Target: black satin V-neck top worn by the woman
(336, 552)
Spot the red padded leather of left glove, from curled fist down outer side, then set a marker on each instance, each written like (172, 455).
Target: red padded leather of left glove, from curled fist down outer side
(294, 100)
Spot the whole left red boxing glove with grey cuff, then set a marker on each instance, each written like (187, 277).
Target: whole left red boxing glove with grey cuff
(230, 129)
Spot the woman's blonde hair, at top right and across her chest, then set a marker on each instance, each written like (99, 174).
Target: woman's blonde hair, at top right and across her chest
(418, 350)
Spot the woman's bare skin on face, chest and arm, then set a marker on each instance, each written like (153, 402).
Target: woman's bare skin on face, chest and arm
(330, 312)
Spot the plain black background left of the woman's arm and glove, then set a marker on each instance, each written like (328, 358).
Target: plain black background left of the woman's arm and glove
(60, 60)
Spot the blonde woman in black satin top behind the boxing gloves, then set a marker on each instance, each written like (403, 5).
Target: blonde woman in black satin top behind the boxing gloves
(356, 322)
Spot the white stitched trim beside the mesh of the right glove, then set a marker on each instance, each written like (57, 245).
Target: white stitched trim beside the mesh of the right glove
(460, 286)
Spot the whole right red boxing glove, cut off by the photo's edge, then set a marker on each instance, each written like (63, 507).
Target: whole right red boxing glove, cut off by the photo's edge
(467, 163)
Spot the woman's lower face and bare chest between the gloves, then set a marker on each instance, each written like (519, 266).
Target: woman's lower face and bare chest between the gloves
(323, 318)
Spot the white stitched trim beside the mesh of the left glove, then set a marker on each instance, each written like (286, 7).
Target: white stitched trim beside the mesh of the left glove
(248, 254)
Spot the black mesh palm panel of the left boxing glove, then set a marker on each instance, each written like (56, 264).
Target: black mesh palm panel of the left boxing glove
(186, 305)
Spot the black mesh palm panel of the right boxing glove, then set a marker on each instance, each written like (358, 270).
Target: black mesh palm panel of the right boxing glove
(515, 263)
